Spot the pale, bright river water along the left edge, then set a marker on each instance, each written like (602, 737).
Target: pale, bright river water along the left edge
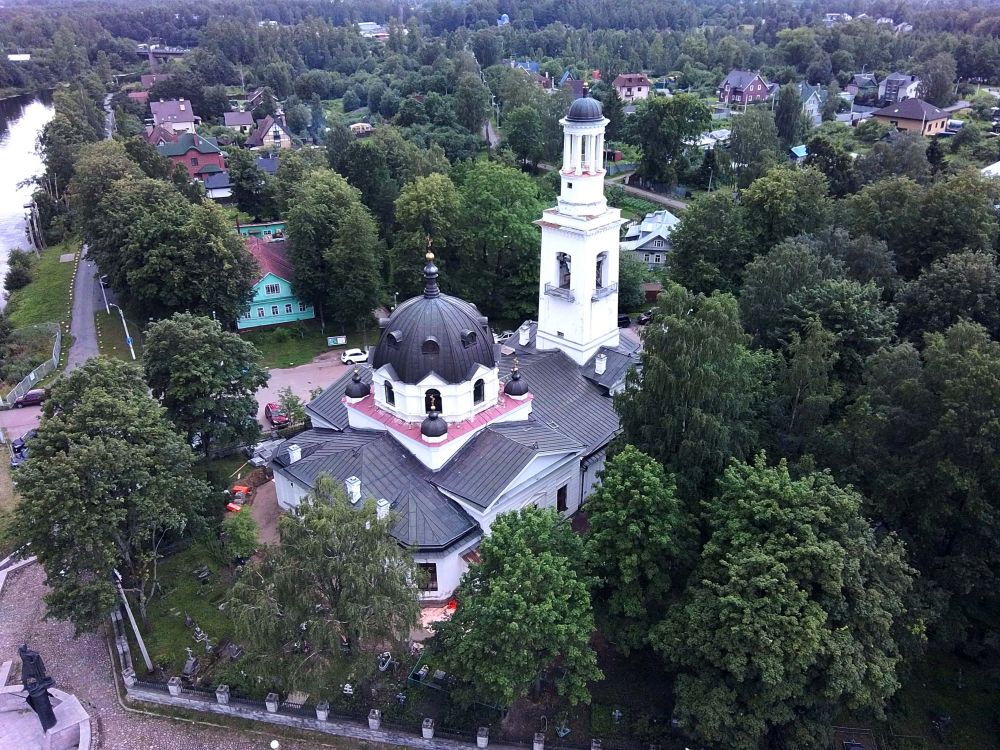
(21, 121)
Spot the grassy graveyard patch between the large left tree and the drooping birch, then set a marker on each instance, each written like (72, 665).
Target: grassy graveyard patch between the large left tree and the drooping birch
(167, 636)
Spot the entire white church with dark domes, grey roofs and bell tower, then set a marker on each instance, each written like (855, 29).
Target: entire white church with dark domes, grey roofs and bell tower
(446, 428)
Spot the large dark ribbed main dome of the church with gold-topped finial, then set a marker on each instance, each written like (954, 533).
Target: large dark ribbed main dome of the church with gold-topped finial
(435, 333)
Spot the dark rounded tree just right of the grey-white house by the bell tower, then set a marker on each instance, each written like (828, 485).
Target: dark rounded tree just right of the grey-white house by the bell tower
(711, 245)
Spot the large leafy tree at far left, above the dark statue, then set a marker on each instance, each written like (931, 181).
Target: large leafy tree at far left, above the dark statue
(107, 484)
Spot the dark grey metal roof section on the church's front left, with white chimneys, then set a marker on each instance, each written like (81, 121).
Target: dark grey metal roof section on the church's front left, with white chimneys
(428, 519)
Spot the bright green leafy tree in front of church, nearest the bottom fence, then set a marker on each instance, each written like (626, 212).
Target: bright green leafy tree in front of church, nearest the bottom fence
(523, 609)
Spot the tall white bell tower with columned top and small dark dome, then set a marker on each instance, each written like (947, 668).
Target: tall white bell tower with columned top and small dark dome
(578, 284)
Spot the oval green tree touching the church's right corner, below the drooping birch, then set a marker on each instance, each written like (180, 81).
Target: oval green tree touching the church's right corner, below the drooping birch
(639, 545)
